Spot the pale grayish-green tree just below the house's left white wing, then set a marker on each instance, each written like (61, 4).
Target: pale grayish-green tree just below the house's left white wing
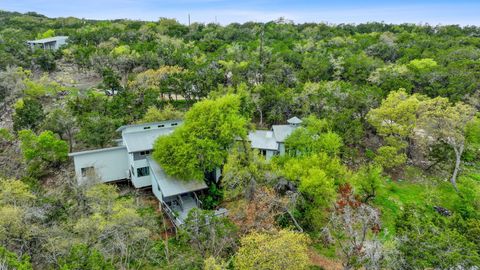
(114, 227)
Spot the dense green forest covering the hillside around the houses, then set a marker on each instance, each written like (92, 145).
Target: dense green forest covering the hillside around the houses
(384, 172)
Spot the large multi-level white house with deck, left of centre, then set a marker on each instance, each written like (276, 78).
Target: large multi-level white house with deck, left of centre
(131, 160)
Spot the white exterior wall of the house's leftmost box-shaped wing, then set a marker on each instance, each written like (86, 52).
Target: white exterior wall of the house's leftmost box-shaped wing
(110, 164)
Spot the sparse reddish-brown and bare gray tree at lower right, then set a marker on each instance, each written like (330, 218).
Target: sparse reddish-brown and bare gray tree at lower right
(353, 227)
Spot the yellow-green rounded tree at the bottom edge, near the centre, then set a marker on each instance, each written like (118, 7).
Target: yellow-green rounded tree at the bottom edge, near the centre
(280, 250)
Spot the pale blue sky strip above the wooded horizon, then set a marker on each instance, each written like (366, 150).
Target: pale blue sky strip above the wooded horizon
(462, 12)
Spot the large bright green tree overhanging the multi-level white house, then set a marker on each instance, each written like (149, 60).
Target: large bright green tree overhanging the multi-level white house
(201, 144)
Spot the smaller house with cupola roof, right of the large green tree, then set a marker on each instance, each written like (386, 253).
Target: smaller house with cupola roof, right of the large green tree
(272, 142)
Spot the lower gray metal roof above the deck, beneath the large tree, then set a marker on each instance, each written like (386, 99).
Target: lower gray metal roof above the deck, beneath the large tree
(171, 186)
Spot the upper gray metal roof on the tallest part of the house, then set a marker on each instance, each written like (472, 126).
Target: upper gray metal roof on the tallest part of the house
(143, 140)
